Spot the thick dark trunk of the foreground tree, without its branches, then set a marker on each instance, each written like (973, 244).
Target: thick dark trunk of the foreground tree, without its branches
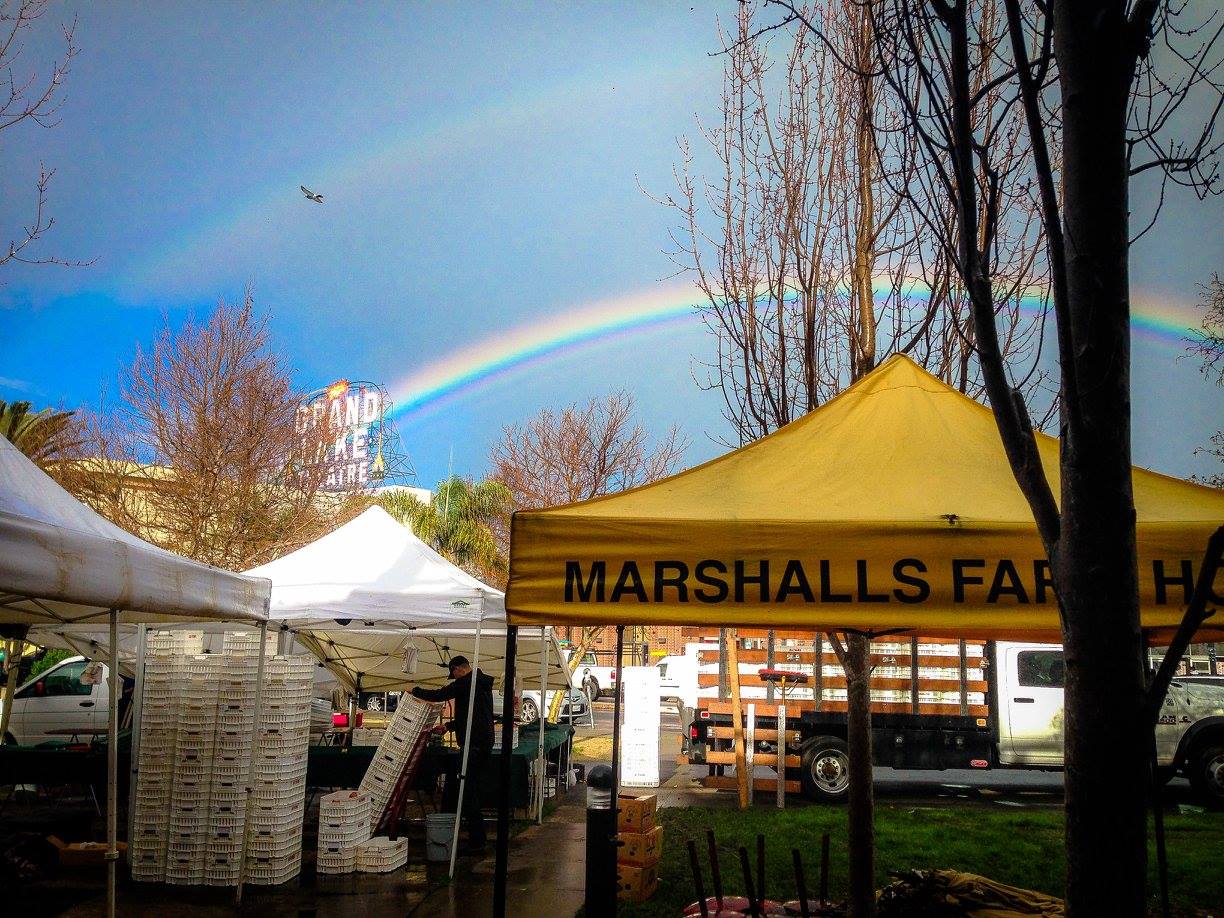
(1095, 564)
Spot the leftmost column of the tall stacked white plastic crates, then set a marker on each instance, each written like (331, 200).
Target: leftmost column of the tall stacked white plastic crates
(156, 763)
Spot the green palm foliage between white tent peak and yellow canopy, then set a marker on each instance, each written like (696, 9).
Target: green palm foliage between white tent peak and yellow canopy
(462, 522)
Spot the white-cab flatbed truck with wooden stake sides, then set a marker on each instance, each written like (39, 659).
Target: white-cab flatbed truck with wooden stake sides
(1009, 715)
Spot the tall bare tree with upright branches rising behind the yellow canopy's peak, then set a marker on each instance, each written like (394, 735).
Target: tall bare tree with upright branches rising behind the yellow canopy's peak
(812, 248)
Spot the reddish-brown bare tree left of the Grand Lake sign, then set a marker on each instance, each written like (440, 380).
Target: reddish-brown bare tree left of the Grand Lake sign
(207, 456)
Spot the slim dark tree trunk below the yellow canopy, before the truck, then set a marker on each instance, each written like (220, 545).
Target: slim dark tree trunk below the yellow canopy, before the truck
(862, 800)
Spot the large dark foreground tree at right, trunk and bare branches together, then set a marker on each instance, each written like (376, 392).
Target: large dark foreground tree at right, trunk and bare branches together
(1085, 79)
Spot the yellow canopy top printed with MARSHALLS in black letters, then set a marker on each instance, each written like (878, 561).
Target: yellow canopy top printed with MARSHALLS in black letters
(890, 507)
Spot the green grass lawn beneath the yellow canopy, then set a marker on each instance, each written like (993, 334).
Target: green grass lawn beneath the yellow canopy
(1018, 848)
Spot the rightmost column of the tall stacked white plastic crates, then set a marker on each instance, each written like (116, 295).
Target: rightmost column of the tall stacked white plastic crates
(278, 801)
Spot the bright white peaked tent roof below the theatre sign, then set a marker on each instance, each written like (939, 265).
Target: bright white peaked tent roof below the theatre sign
(374, 571)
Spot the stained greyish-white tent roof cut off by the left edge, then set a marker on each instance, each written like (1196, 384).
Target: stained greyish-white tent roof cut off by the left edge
(62, 564)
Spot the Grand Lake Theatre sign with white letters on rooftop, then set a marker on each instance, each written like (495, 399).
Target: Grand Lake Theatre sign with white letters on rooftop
(362, 449)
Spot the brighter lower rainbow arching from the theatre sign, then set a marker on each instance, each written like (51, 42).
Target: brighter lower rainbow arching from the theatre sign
(495, 359)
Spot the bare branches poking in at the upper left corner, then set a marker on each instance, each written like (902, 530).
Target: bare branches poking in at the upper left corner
(30, 100)
